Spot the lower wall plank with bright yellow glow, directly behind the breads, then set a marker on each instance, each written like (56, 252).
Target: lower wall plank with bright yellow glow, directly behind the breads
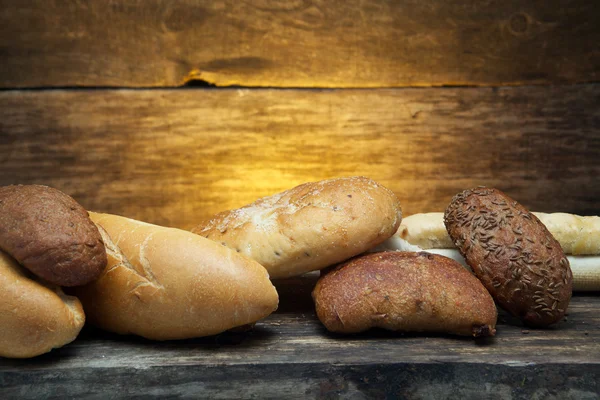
(174, 157)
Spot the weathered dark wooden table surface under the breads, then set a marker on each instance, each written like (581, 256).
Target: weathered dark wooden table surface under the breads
(291, 355)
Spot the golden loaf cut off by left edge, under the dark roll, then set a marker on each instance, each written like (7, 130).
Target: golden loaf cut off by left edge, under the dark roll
(34, 317)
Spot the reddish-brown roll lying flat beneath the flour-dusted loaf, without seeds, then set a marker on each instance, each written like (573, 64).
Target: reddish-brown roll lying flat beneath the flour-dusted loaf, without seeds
(402, 291)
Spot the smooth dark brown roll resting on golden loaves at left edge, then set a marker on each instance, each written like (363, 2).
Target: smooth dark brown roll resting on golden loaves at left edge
(50, 234)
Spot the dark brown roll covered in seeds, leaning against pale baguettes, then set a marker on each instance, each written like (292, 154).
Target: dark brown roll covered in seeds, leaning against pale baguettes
(512, 253)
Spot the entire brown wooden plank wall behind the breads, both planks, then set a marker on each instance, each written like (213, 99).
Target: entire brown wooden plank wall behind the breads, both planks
(528, 122)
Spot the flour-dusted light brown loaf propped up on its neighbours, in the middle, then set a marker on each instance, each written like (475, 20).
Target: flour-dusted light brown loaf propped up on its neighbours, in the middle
(309, 227)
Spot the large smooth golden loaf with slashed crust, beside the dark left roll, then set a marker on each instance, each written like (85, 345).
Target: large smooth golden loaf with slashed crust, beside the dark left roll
(165, 283)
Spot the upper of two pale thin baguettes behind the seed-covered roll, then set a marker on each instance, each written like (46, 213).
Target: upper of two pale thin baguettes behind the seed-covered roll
(577, 235)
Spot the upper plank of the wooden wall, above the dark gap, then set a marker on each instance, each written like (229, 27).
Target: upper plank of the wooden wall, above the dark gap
(300, 43)
